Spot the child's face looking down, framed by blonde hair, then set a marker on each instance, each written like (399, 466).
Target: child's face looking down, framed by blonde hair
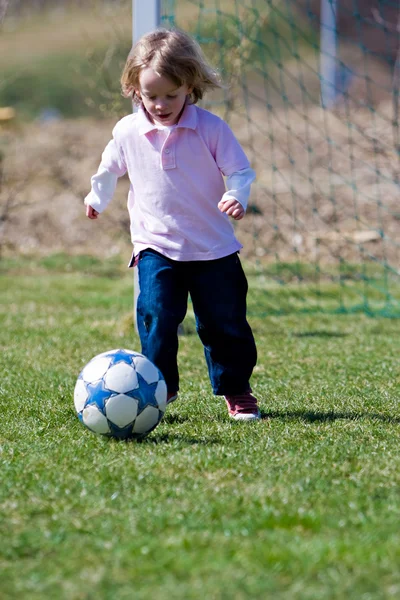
(161, 98)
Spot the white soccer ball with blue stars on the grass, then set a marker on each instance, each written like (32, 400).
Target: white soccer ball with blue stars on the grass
(120, 394)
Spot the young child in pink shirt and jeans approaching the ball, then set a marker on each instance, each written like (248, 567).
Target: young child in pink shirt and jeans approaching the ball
(176, 155)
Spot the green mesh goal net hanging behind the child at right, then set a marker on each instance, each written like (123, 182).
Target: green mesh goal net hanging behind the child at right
(312, 93)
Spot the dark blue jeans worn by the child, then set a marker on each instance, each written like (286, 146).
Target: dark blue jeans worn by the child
(218, 290)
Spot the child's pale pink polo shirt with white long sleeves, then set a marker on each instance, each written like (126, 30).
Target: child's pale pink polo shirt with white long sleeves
(176, 178)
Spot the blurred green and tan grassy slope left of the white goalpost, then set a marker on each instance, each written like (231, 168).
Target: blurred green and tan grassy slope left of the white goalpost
(73, 64)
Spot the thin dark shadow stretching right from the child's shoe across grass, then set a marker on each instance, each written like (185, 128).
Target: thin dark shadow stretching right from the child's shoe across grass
(310, 416)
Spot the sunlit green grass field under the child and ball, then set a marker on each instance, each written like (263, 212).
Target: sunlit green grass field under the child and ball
(302, 505)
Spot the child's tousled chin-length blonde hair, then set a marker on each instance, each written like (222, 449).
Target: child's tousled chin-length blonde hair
(172, 54)
